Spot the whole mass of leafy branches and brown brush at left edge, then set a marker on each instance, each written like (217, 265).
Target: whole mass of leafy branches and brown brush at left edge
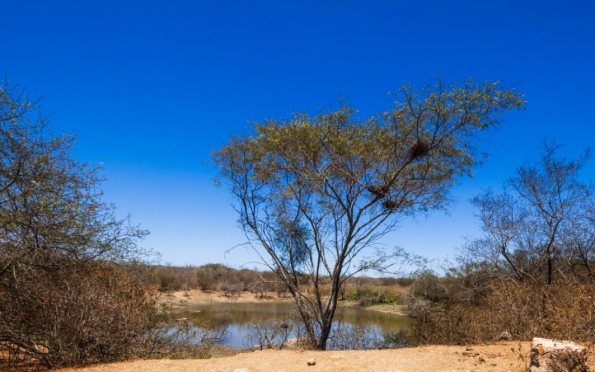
(72, 275)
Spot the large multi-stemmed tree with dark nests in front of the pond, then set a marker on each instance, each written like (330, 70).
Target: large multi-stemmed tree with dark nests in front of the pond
(315, 194)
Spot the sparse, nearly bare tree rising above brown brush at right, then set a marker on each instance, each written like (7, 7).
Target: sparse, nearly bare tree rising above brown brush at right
(542, 224)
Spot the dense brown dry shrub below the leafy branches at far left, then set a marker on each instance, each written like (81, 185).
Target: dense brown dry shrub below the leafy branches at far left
(81, 313)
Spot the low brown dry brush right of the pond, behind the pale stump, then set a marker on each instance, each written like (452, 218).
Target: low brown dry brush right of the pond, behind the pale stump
(563, 310)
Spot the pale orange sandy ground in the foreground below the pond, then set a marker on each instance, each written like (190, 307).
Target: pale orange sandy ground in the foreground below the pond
(495, 357)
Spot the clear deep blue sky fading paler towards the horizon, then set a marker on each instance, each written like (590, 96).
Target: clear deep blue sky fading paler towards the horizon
(151, 87)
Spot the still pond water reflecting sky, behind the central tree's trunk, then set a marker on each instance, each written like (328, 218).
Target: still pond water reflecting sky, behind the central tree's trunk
(250, 324)
